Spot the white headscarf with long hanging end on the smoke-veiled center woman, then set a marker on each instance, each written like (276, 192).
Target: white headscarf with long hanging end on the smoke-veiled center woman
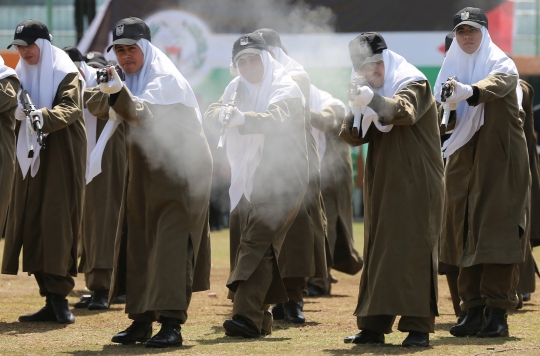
(244, 151)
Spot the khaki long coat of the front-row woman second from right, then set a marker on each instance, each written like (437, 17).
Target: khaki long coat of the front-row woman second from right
(403, 199)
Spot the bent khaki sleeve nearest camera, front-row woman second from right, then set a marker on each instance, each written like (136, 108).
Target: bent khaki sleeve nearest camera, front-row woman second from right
(406, 107)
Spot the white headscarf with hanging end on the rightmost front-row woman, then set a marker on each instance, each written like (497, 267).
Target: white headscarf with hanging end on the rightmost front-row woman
(470, 69)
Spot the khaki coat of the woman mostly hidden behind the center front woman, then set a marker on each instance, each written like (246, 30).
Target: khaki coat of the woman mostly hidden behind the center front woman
(305, 250)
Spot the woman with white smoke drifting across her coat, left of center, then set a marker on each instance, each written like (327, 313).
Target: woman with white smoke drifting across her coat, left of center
(162, 248)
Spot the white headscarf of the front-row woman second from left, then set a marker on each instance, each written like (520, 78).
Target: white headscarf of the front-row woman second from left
(159, 81)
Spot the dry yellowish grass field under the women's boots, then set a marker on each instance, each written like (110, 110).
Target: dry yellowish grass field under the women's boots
(329, 319)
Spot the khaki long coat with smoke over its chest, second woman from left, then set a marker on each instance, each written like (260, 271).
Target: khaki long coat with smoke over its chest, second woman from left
(165, 208)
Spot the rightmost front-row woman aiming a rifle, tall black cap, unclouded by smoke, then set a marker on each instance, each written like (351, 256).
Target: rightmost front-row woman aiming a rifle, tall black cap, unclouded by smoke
(487, 177)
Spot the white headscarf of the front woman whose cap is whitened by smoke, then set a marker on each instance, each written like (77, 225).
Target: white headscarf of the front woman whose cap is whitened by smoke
(398, 73)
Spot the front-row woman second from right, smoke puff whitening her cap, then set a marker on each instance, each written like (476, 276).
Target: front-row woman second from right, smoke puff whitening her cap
(403, 194)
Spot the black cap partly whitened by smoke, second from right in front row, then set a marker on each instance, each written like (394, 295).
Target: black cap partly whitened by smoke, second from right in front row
(366, 48)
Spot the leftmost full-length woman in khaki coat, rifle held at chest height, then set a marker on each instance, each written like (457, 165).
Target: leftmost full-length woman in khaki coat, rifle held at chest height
(47, 198)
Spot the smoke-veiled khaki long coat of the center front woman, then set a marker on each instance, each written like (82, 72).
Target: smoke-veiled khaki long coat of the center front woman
(280, 182)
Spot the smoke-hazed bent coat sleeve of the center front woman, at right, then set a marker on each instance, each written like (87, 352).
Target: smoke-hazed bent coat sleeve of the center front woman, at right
(276, 119)
